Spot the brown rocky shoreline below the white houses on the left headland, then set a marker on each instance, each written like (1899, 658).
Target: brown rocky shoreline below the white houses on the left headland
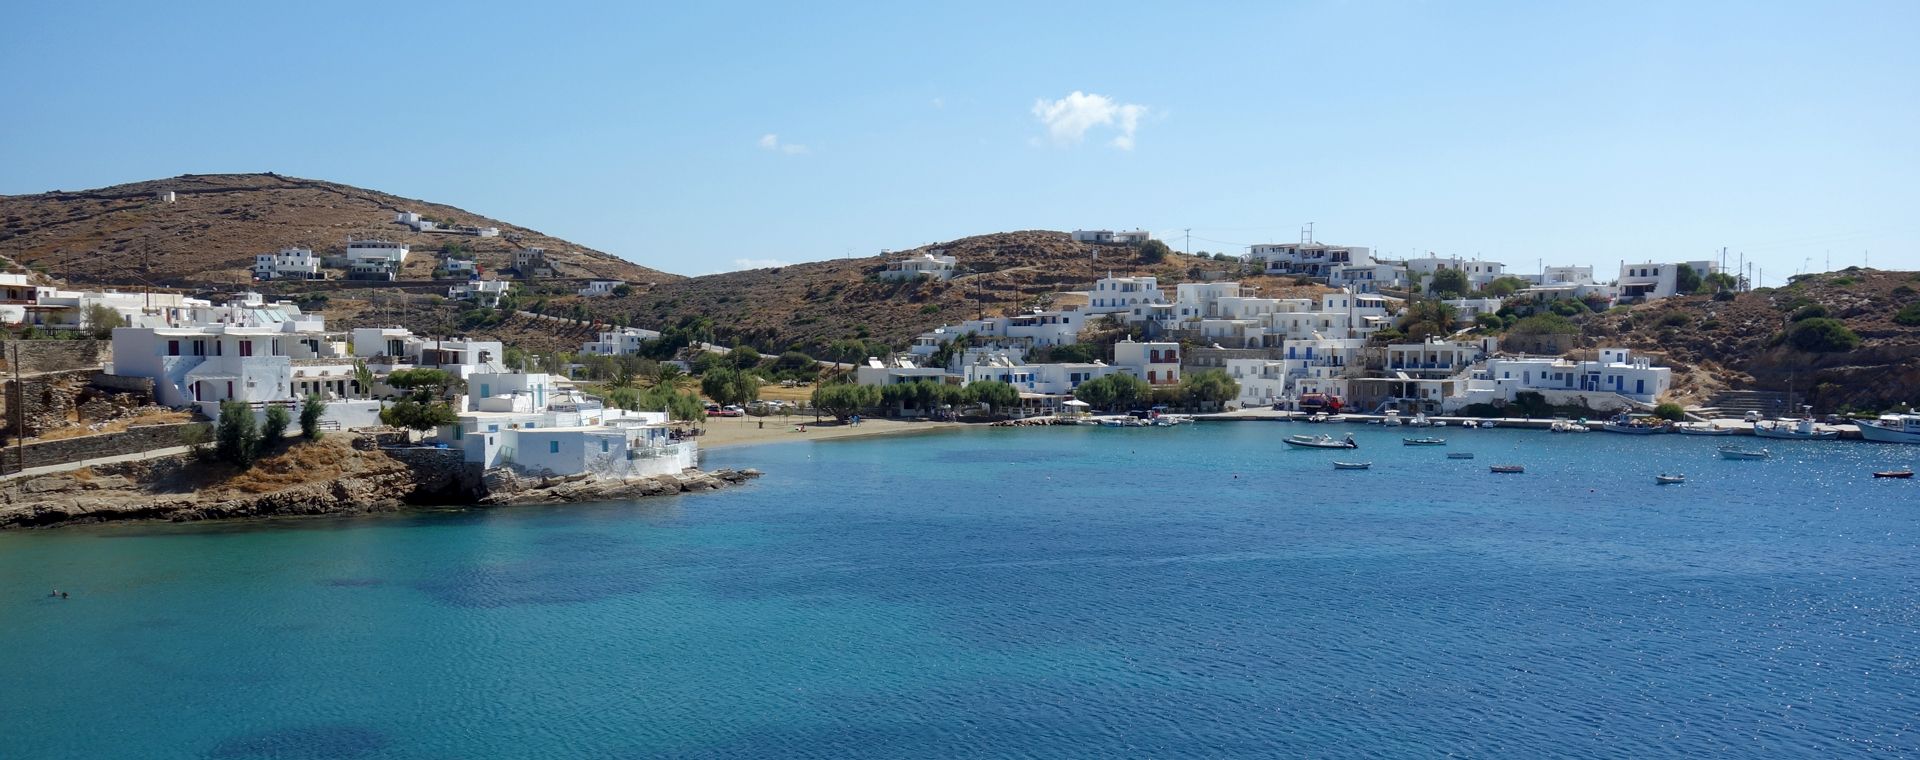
(329, 479)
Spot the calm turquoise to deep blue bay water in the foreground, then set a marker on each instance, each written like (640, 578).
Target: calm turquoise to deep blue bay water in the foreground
(1049, 594)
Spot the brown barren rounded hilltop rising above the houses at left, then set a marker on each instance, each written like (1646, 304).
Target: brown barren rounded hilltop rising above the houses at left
(214, 227)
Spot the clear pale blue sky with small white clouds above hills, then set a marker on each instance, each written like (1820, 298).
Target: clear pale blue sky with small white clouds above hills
(736, 135)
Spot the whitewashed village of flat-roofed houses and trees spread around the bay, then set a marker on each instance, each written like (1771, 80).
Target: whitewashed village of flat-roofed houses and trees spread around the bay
(1347, 335)
